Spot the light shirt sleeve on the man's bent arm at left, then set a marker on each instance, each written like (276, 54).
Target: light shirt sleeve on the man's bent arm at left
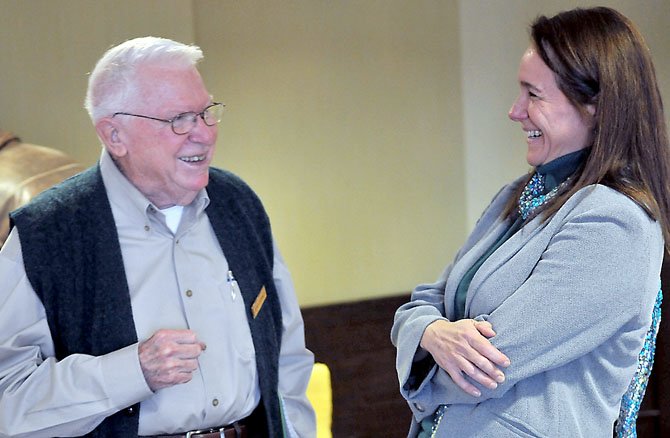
(43, 397)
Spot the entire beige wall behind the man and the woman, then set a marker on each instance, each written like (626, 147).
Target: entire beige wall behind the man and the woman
(375, 131)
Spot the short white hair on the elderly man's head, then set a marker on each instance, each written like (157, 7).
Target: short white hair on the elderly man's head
(112, 84)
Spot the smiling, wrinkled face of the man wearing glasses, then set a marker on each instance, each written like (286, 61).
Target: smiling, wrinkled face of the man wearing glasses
(169, 169)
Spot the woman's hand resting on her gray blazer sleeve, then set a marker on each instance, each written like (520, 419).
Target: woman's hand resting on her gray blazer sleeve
(462, 347)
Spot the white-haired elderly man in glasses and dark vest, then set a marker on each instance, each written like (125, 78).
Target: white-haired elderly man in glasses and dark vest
(146, 296)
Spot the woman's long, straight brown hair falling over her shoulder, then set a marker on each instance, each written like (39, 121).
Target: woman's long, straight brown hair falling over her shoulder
(599, 57)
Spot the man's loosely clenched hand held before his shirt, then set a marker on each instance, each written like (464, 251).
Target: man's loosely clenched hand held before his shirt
(169, 357)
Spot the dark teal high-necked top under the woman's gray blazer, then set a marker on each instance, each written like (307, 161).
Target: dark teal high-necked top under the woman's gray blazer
(554, 172)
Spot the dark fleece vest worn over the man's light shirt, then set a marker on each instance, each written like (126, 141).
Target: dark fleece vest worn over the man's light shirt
(73, 260)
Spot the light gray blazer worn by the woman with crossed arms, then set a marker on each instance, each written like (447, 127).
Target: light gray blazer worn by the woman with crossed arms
(570, 300)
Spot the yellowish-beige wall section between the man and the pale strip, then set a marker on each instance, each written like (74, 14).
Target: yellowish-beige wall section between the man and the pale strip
(343, 116)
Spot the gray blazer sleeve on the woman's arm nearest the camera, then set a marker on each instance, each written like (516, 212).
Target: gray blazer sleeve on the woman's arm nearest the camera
(596, 278)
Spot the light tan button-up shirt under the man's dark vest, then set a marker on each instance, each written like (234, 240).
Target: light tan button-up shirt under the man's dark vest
(177, 280)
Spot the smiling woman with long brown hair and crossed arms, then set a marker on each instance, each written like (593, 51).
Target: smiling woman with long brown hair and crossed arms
(536, 327)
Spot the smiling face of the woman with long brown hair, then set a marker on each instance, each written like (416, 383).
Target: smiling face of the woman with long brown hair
(554, 127)
